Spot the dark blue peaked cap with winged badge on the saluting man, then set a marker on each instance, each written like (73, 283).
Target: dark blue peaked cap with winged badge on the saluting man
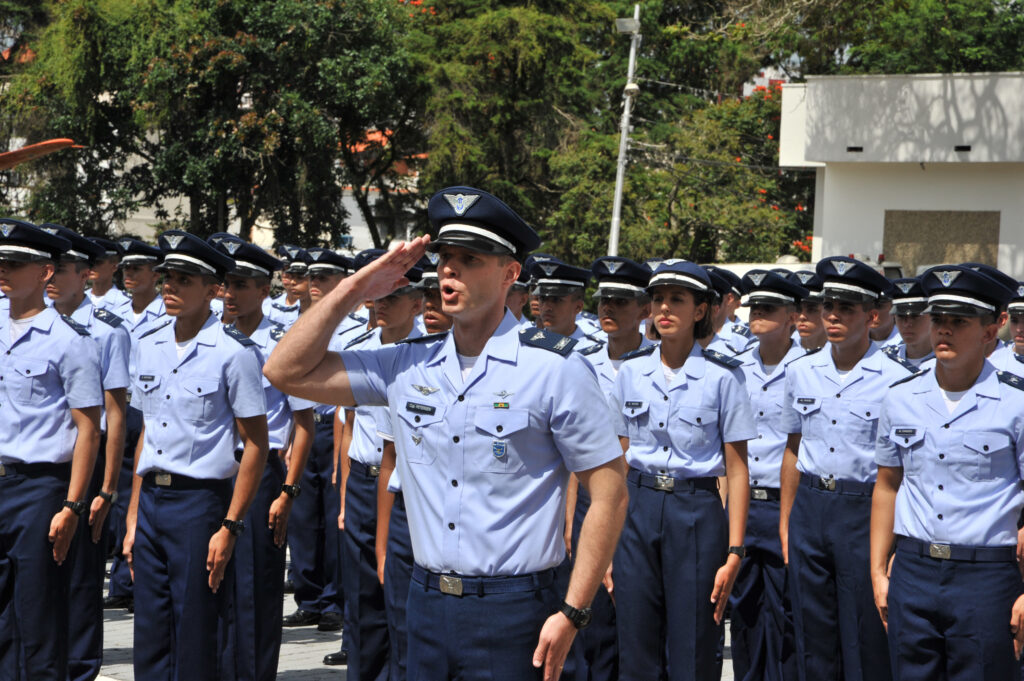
(480, 222)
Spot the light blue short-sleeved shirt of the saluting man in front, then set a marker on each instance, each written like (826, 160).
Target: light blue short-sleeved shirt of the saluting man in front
(485, 462)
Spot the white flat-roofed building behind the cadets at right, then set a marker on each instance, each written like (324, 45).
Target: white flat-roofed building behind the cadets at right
(922, 169)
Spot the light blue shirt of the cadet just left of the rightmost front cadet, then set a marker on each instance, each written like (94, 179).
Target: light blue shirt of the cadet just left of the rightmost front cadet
(838, 420)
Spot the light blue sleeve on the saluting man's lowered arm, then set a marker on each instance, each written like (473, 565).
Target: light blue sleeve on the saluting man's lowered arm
(580, 423)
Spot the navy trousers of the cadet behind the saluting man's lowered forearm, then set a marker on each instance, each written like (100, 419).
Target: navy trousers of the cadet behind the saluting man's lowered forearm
(600, 642)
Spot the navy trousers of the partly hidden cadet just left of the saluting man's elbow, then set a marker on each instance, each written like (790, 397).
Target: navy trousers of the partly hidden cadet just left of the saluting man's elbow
(260, 586)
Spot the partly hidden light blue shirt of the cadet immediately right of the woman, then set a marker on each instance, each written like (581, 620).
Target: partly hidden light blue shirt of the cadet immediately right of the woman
(767, 392)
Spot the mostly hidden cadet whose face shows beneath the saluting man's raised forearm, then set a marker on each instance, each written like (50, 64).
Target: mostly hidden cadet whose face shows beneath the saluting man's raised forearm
(366, 617)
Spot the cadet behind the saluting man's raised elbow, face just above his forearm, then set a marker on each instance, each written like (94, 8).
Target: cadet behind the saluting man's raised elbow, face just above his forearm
(314, 543)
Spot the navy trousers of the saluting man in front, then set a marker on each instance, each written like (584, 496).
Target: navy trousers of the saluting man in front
(478, 639)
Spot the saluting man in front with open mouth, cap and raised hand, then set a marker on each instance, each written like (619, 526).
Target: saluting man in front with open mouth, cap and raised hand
(491, 421)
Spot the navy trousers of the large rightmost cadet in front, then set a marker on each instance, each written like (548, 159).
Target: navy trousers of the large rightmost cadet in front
(950, 621)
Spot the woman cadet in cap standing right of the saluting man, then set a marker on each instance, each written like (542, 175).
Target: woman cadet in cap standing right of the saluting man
(685, 420)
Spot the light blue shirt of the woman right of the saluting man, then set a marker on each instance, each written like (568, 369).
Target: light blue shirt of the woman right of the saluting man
(678, 429)
